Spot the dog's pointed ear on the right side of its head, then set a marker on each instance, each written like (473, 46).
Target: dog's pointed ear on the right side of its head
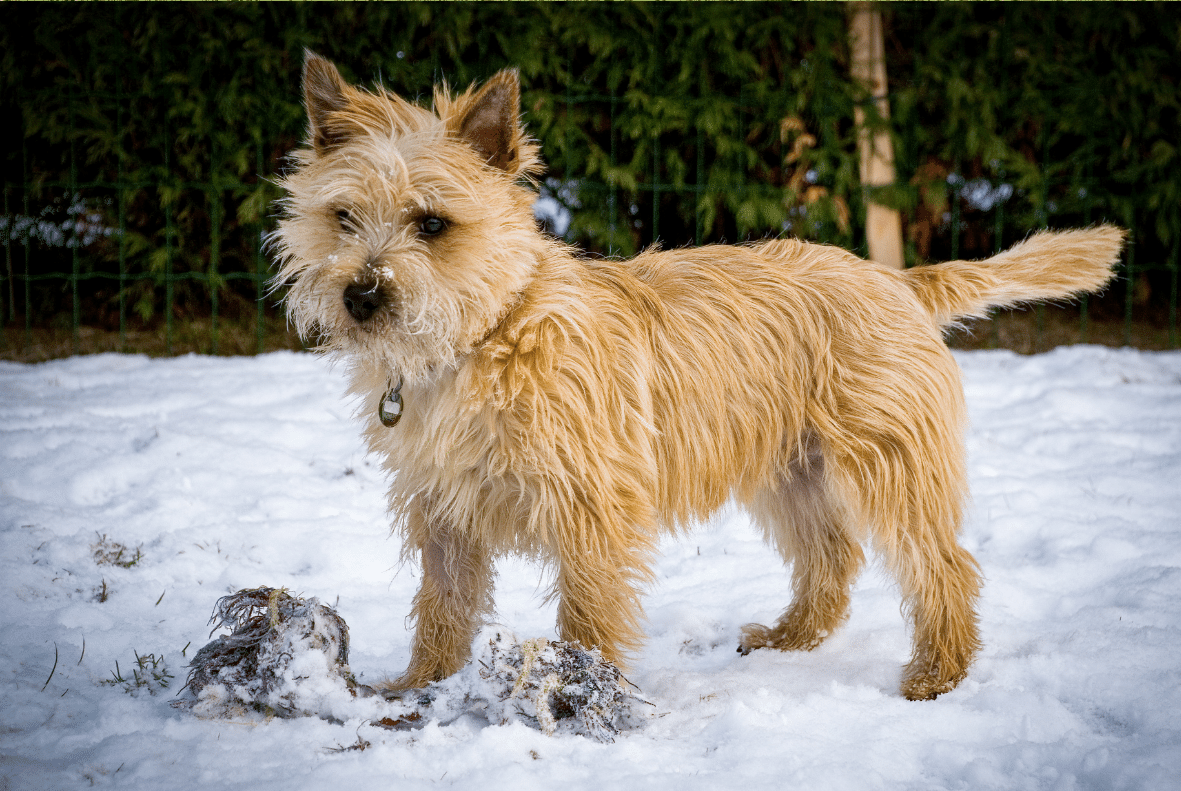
(490, 122)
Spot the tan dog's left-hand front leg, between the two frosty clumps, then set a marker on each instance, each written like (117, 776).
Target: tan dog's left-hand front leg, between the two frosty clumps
(456, 592)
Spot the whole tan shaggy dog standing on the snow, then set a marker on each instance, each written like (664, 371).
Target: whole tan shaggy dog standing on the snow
(526, 400)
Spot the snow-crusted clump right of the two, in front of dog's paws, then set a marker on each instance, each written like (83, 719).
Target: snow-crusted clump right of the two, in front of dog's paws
(553, 687)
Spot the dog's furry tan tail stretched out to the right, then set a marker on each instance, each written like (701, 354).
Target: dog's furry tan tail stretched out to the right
(1047, 266)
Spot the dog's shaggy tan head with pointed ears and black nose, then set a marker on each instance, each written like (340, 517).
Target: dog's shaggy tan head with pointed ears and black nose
(388, 220)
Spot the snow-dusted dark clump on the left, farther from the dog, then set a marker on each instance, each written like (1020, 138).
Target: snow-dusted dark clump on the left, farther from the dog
(285, 657)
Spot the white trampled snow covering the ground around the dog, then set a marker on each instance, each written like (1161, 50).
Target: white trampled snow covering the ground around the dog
(224, 474)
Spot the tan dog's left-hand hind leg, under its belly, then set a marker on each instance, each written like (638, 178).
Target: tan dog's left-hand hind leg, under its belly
(800, 520)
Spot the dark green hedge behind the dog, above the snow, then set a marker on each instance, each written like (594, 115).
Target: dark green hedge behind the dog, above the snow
(141, 141)
